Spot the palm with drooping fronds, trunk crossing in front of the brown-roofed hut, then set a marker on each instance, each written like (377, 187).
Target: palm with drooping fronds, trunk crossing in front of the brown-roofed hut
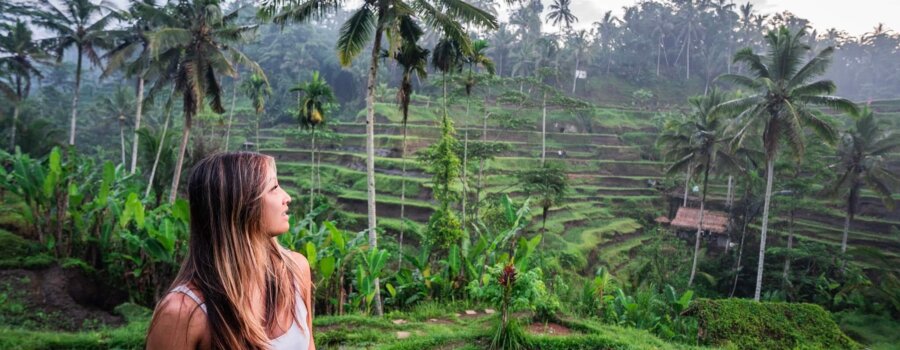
(704, 152)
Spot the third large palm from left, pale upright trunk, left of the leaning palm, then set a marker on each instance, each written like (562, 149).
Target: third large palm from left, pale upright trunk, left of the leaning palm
(132, 41)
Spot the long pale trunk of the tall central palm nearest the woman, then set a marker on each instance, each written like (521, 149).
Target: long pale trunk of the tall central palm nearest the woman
(370, 156)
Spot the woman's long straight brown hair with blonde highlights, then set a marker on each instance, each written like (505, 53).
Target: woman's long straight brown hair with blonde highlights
(230, 256)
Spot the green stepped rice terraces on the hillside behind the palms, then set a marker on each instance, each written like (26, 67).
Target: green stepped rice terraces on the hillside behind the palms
(608, 157)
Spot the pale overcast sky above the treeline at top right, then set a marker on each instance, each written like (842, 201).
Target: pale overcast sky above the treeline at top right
(855, 17)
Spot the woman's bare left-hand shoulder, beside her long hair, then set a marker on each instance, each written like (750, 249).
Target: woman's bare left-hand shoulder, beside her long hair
(178, 323)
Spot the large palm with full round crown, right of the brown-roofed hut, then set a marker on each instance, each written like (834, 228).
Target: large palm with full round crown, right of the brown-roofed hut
(782, 91)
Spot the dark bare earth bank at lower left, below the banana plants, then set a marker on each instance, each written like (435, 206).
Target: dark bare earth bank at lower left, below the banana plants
(62, 299)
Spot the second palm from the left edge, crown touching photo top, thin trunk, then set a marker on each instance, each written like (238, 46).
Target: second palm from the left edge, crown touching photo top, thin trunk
(80, 24)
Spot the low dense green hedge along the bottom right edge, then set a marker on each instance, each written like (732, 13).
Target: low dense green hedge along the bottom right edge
(746, 324)
